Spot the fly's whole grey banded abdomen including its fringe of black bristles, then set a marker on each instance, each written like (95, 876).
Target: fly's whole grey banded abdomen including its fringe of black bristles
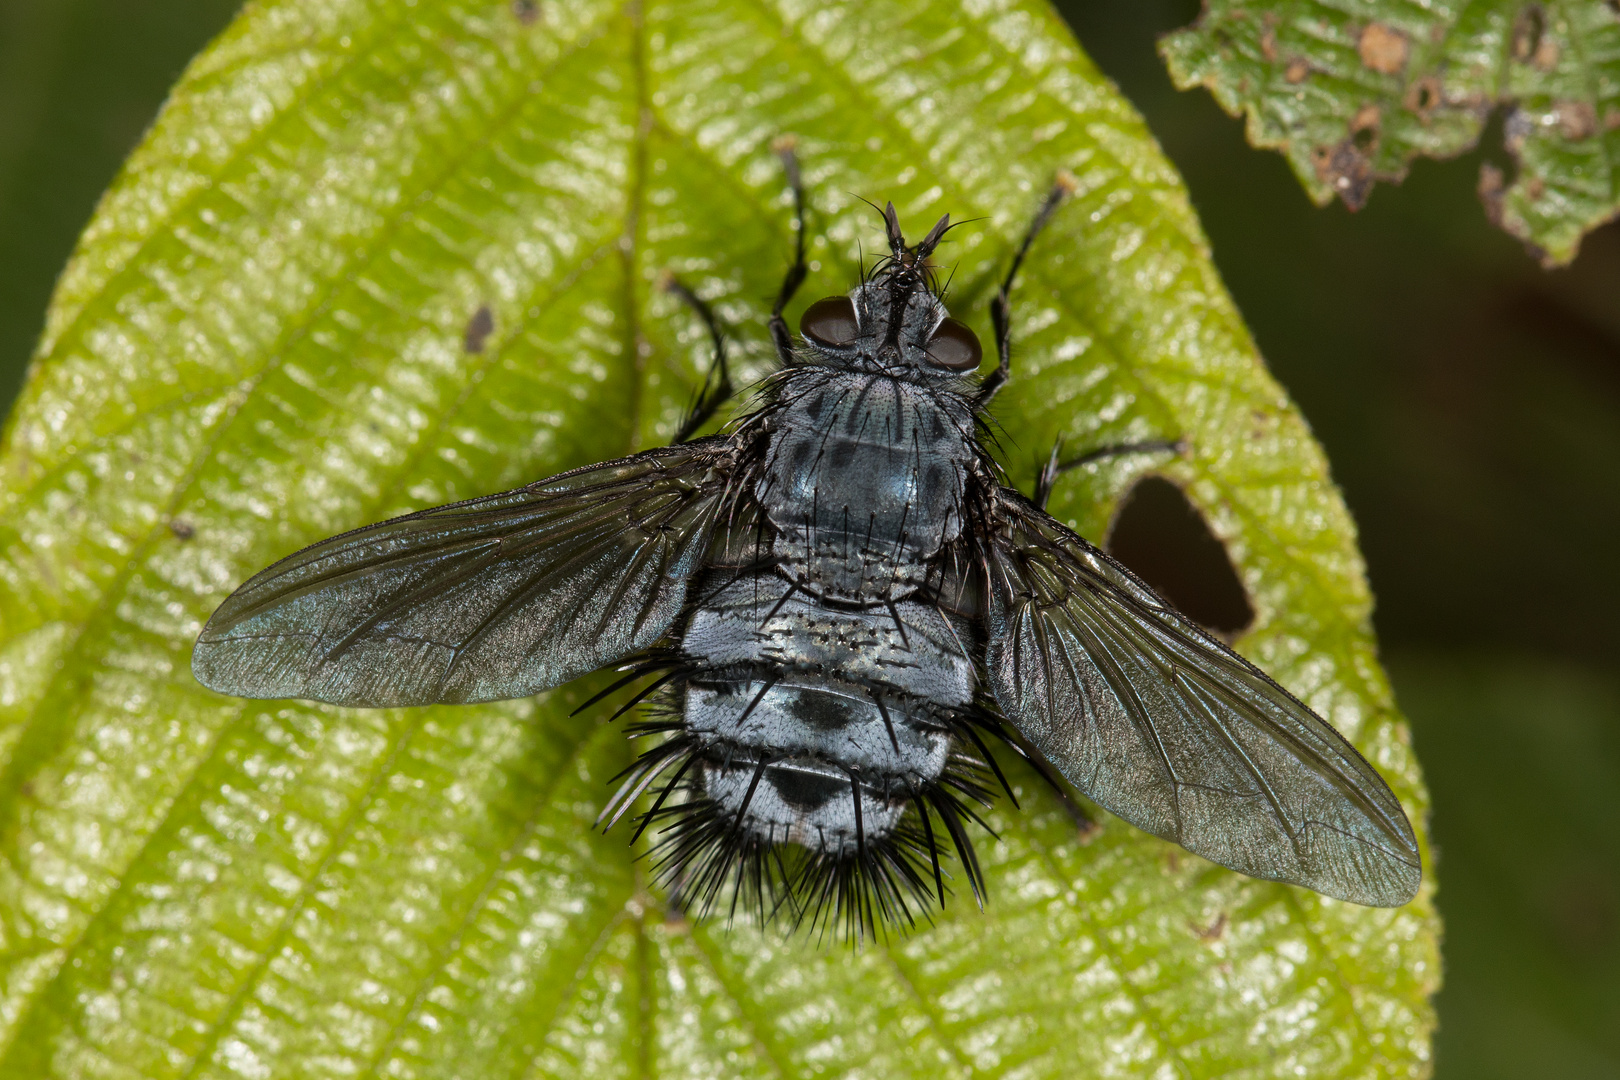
(817, 747)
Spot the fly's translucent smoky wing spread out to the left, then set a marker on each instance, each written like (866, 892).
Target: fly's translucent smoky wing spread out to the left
(477, 602)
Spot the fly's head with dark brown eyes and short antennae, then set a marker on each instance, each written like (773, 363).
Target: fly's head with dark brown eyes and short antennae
(893, 321)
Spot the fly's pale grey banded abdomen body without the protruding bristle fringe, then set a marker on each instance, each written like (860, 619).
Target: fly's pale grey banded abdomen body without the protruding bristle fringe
(803, 695)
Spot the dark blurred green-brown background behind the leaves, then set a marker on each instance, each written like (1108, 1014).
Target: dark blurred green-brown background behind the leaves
(1470, 404)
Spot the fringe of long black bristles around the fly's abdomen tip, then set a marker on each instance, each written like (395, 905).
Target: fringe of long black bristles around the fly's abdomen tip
(858, 887)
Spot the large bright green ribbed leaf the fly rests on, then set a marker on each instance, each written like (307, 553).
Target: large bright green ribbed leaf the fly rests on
(263, 339)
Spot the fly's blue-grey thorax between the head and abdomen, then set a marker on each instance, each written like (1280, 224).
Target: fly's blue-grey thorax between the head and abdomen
(864, 482)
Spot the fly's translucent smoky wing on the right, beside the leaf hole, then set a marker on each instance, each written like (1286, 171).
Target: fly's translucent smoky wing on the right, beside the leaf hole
(1175, 733)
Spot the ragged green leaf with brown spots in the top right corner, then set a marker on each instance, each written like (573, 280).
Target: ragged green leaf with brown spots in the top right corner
(1354, 91)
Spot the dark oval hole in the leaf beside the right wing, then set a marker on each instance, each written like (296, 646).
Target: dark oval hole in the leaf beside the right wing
(1164, 538)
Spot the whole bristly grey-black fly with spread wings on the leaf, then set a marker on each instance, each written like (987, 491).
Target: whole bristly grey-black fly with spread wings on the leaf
(838, 606)
